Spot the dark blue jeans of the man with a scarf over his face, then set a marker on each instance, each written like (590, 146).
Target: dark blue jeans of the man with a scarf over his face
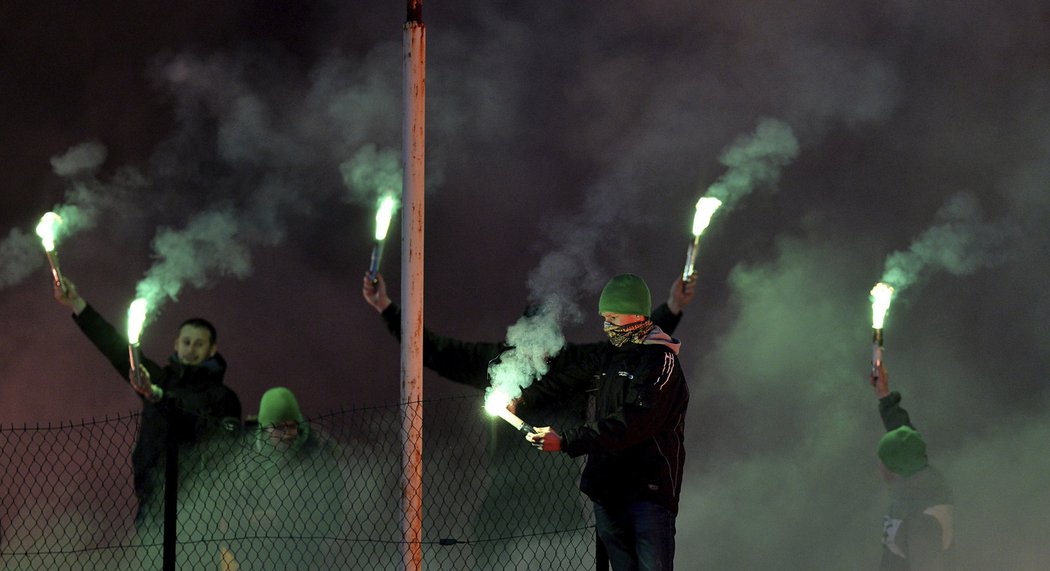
(638, 536)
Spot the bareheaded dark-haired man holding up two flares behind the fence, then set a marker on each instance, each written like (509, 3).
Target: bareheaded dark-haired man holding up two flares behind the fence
(186, 396)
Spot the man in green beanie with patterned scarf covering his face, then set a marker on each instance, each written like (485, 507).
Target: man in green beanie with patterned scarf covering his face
(634, 437)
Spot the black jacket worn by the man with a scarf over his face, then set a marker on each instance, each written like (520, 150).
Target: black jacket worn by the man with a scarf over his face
(635, 437)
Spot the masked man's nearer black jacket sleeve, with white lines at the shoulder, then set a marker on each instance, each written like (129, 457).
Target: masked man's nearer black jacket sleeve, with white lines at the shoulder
(656, 400)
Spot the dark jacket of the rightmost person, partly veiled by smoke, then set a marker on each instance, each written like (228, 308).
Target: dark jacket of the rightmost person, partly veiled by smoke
(919, 526)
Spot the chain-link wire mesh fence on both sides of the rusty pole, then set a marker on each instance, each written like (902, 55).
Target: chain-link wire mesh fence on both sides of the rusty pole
(331, 502)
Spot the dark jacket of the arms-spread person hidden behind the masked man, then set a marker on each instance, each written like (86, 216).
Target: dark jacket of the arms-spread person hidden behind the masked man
(467, 363)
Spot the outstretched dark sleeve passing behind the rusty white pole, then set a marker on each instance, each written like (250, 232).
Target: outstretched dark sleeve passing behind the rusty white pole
(463, 363)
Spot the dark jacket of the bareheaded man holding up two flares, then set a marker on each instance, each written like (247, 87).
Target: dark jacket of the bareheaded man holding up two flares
(196, 401)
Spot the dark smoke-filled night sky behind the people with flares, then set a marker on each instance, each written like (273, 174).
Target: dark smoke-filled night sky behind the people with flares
(569, 142)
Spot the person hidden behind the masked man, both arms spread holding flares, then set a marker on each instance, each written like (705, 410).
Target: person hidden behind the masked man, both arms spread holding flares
(467, 363)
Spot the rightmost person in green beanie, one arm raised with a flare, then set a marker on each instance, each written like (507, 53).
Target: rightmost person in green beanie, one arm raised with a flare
(919, 528)
